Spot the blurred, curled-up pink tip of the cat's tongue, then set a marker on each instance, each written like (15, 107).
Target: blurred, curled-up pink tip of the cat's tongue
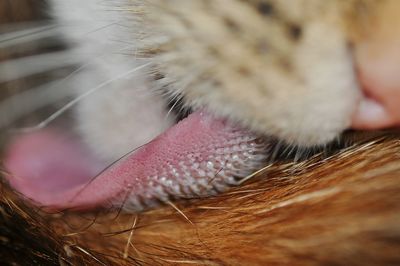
(46, 166)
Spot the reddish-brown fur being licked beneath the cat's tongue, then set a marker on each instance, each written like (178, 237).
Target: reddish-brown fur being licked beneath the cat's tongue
(341, 210)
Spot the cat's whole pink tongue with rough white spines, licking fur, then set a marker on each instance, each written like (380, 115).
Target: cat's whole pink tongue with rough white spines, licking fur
(197, 157)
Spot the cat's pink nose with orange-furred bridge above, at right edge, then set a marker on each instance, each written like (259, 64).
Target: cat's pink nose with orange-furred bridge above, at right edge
(377, 59)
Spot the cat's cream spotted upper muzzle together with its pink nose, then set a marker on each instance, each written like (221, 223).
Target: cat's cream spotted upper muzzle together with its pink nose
(301, 71)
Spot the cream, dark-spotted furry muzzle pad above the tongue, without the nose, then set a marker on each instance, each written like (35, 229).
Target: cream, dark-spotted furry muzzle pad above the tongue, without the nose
(282, 70)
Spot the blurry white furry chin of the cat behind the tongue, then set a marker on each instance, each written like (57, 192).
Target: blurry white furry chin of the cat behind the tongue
(123, 113)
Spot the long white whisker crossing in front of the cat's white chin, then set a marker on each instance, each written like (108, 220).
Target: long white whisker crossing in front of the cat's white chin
(70, 104)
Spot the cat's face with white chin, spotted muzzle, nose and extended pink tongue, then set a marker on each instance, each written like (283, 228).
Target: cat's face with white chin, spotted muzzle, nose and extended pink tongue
(298, 73)
